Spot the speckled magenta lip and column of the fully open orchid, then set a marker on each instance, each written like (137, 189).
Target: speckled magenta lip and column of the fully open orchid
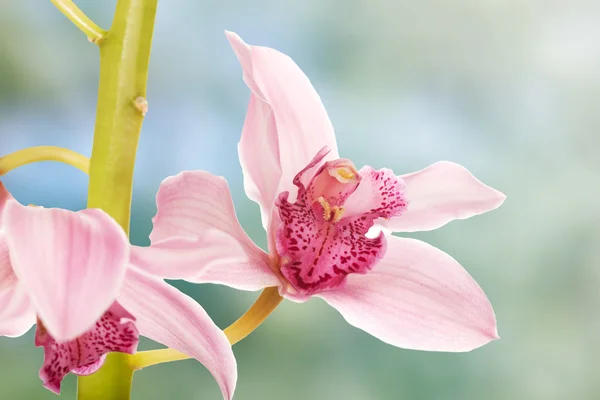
(322, 236)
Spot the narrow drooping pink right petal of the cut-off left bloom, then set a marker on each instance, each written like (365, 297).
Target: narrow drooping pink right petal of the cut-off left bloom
(167, 316)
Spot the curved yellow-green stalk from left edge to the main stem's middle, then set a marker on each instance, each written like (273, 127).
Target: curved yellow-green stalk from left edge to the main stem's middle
(43, 153)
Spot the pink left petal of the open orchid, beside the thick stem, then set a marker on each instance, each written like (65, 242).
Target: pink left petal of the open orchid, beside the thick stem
(197, 237)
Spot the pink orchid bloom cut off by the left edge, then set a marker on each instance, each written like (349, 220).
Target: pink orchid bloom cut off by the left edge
(70, 273)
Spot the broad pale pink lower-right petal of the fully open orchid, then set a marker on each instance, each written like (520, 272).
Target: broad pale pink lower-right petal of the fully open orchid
(417, 297)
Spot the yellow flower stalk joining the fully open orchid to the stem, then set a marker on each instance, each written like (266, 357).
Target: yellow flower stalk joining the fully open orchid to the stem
(266, 303)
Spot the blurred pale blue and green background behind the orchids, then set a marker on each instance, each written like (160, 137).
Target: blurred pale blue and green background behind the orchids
(509, 89)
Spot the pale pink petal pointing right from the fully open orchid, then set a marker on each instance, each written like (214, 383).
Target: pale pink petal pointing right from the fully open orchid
(441, 193)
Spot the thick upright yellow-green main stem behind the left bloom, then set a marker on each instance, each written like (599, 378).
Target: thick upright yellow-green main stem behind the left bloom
(124, 58)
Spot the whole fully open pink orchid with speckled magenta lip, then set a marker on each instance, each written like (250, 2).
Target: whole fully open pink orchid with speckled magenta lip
(327, 222)
